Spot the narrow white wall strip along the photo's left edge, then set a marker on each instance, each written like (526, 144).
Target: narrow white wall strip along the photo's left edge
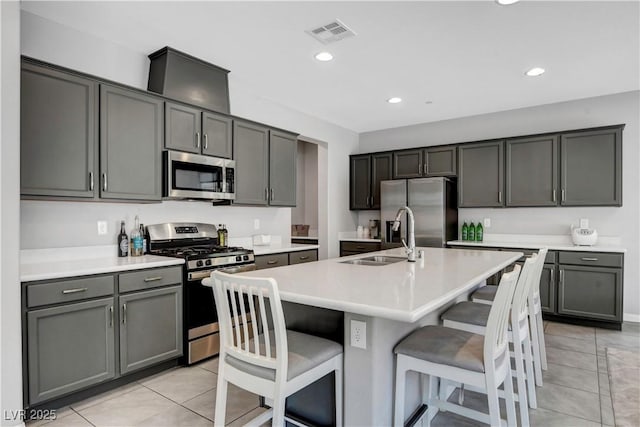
(10, 338)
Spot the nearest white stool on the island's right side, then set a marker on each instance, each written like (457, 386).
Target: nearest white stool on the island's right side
(449, 354)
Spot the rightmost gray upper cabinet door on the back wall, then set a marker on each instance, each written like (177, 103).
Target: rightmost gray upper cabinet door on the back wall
(591, 169)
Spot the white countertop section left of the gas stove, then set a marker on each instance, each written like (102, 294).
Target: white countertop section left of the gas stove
(56, 263)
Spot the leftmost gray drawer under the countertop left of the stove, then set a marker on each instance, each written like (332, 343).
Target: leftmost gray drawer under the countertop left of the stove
(69, 290)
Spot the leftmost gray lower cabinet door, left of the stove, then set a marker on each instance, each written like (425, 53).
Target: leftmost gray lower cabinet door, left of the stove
(70, 347)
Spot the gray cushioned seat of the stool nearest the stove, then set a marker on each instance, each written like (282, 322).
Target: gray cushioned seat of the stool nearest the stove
(305, 352)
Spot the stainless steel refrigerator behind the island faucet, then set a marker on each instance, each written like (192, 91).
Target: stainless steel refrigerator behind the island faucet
(434, 205)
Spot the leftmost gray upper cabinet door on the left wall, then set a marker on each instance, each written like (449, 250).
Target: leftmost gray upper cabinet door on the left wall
(58, 137)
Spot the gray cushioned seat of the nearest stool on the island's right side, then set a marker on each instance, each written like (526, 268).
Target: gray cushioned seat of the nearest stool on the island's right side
(446, 346)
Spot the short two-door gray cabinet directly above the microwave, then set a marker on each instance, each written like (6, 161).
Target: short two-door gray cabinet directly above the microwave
(195, 131)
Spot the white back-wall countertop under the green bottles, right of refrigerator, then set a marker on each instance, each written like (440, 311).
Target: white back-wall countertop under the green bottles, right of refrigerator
(559, 243)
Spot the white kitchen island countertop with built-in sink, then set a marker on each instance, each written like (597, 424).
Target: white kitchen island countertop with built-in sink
(400, 291)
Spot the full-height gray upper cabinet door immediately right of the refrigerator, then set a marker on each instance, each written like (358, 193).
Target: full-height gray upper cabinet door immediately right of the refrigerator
(481, 174)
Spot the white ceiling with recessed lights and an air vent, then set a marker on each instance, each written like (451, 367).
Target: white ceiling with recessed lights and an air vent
(467, 58)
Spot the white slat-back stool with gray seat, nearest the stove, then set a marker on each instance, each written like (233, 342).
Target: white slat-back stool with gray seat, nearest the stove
(274, 363)
